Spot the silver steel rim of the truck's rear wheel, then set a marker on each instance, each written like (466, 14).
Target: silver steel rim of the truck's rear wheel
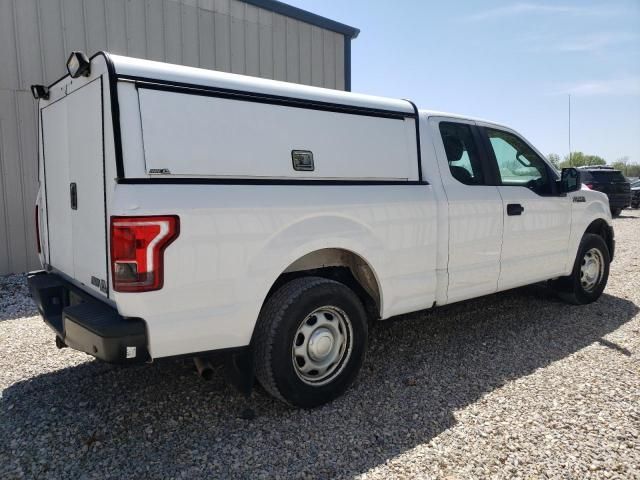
(322, 345)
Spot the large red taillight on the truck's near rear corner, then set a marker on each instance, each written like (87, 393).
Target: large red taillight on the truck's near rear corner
(137, 251)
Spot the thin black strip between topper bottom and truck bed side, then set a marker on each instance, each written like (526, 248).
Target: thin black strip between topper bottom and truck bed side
(259, 181)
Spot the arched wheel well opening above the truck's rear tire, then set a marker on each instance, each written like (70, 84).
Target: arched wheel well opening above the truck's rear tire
(342, 266)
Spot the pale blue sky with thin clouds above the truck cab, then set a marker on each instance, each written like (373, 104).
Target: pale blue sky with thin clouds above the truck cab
(510, 62)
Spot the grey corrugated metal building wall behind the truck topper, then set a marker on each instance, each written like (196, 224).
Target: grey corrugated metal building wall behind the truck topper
(36, 37)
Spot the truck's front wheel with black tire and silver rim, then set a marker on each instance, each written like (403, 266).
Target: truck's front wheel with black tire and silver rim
(590, 272)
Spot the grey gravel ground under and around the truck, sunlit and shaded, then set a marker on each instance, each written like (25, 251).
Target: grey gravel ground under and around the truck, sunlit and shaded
(515, 385)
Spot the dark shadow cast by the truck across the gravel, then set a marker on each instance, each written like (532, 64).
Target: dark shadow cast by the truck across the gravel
(164, 421)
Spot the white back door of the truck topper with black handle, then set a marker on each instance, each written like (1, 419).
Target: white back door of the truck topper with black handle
(74, 186)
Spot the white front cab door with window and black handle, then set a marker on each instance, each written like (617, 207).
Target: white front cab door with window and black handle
(537, 220)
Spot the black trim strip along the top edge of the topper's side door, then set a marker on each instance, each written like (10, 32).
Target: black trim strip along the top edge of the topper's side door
(281, 100)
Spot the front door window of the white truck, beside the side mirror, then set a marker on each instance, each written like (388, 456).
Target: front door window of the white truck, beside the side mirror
(518, 164)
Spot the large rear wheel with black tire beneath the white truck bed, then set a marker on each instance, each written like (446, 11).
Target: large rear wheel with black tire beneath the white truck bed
(310, 341)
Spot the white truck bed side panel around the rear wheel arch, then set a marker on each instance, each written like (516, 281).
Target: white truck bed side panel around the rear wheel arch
(235, 240)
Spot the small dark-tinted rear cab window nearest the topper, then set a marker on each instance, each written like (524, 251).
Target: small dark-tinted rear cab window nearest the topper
(462, 152)
